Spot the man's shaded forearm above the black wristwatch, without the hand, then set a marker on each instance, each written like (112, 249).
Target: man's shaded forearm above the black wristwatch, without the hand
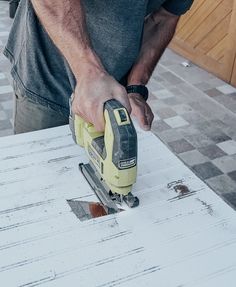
(159, 29)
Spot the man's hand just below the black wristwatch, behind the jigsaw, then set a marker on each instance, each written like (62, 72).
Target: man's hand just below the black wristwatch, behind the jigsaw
(141, 111)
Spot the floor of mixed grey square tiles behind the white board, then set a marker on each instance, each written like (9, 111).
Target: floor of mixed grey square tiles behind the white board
(195, 115)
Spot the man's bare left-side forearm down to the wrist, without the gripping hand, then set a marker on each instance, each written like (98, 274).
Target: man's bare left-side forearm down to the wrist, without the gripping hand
(65, 23)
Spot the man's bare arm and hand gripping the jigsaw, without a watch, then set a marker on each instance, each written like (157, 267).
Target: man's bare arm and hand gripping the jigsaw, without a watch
(65, 23)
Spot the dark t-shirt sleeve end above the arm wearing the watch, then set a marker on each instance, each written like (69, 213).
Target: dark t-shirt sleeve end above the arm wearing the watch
(177, 7)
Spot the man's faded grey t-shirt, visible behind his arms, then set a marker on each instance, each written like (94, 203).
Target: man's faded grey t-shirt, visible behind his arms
(115, 29)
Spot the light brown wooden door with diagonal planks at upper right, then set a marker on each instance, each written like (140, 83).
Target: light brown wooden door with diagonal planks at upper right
(207, 36)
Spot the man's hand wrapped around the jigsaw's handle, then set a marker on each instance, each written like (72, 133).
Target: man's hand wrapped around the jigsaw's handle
(94, 88)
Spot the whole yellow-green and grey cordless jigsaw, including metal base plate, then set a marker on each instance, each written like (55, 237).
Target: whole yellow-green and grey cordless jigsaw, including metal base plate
(112, 167)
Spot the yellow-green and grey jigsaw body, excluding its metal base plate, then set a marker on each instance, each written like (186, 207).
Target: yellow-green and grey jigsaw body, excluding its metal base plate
(114, 152)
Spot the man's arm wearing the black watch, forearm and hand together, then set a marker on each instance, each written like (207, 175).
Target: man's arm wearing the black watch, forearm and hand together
(159, 29)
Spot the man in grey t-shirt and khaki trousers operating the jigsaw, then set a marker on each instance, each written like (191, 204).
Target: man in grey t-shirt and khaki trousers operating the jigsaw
(92, 49)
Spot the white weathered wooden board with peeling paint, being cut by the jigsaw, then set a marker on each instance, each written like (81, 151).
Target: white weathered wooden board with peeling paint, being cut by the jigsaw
(167, 241)
